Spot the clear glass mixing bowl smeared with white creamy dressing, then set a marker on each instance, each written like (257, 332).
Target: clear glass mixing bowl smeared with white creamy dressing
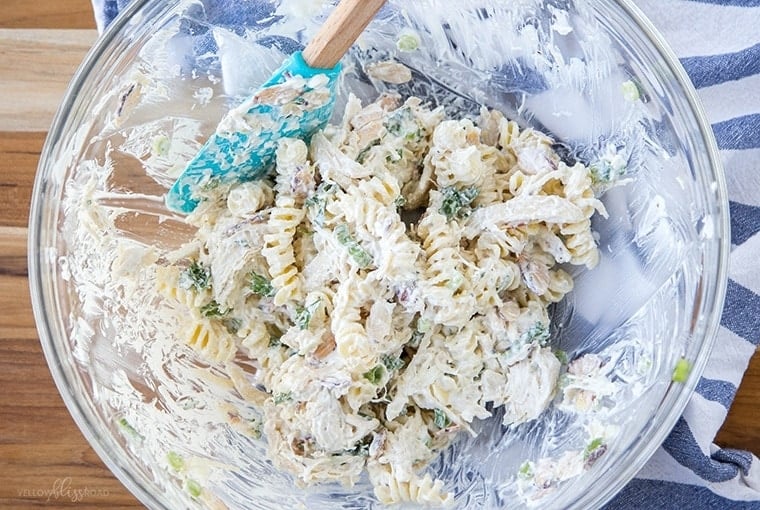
(594, 75)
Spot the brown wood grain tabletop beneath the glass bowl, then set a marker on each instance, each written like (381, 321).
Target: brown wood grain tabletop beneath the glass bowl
(44, 459)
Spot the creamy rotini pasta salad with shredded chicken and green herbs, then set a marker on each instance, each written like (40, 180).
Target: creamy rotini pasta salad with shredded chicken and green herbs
(387, 287)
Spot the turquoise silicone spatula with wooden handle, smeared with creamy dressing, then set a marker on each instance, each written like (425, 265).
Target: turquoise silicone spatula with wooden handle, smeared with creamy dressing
(245, 141)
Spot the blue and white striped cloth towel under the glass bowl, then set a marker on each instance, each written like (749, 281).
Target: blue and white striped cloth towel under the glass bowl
(718, 42)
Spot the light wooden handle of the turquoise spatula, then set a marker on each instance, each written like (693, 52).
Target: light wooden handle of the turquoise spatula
(342, 28)
